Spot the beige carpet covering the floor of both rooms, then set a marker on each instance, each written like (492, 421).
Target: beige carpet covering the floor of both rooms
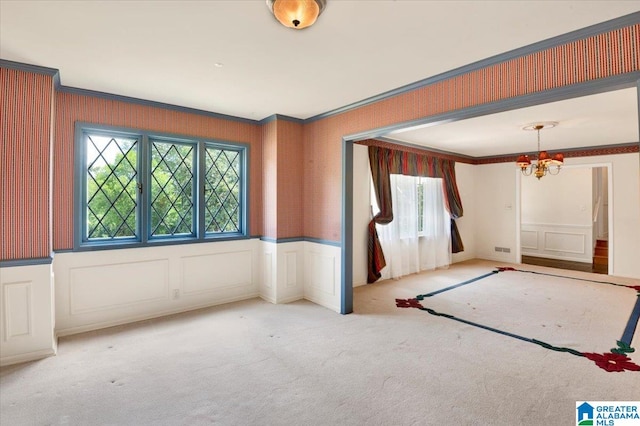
(253, 363)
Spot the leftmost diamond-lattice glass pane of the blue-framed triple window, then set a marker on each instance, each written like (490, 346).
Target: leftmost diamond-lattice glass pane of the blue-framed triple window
(111, 187)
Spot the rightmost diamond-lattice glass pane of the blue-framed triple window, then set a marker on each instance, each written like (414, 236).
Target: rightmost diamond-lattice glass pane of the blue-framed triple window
(222, 190)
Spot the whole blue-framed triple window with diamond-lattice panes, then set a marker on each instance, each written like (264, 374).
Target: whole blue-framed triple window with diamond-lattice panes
(137, 188)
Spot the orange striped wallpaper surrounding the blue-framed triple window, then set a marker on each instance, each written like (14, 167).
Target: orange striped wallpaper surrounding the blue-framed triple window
(73, 107)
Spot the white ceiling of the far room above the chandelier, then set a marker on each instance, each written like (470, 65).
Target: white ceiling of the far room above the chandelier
(604, 119)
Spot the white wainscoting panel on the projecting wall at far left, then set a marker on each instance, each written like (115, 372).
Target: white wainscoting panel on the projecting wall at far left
(26, 313)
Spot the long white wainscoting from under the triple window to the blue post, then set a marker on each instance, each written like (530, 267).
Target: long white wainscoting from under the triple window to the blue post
(105, 288)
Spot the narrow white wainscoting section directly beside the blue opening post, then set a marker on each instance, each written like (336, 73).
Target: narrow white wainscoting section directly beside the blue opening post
(322, 268)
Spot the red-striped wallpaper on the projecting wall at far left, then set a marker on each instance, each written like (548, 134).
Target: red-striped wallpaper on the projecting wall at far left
(26, 102)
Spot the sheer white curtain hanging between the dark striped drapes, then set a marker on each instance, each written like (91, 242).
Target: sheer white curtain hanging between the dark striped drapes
(418, 237)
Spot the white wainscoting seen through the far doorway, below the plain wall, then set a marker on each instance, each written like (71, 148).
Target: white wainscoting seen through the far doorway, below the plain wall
(566, 242)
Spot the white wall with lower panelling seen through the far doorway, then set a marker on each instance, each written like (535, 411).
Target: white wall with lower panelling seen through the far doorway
(556, 215)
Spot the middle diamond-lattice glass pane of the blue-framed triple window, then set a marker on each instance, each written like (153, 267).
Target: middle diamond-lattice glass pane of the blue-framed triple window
(172, 189)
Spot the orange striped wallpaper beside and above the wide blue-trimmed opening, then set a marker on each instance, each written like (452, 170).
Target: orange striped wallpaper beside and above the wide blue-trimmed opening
(596, 57)
